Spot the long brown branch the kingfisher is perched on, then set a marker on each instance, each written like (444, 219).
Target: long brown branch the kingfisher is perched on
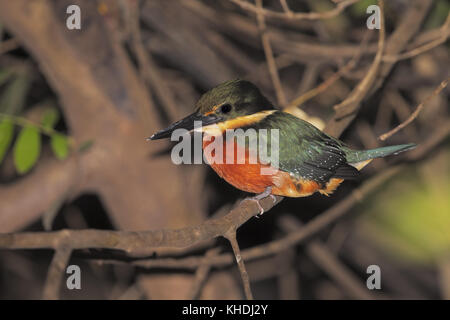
(133, 241)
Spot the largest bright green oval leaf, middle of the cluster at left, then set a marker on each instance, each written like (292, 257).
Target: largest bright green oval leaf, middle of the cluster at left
(27, 149)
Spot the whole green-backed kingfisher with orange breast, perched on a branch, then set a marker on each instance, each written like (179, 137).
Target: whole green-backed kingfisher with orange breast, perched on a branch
(309, 160)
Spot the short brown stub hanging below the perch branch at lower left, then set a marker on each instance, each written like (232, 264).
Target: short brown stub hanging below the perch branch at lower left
(55, 273)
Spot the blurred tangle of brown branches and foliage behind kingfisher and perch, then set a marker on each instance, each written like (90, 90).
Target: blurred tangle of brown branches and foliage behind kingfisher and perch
(76, 106)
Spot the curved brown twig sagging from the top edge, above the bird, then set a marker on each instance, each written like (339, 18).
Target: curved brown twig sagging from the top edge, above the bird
(297, 15)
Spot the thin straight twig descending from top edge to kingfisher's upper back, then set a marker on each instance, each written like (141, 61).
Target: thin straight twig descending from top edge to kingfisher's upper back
(271, 65)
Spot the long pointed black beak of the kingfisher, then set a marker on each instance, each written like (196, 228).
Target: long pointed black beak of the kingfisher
(189, 123)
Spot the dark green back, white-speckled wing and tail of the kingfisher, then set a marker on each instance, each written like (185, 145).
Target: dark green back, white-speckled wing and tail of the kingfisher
(307, 152)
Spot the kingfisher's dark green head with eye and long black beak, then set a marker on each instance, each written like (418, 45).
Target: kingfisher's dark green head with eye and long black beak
(230, 100)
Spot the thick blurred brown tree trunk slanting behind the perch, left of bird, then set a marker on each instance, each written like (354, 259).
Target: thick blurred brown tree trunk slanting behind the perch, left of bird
(104, 101)
